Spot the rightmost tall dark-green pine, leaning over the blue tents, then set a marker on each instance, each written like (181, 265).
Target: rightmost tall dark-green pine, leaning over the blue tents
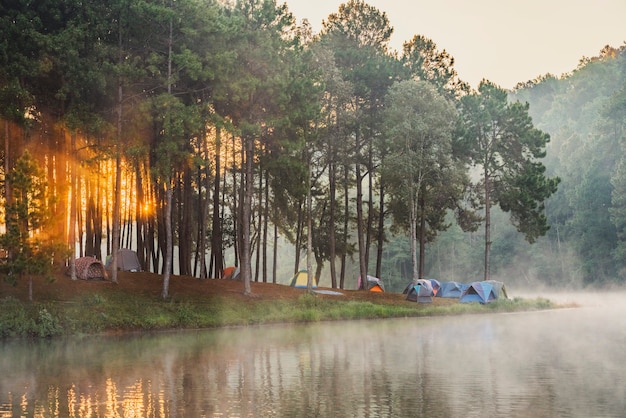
(502, 141)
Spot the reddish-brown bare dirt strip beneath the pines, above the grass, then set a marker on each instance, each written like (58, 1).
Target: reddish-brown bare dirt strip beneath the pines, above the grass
(63, 288)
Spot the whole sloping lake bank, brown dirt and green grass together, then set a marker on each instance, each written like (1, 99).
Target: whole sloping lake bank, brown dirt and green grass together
(75, 307)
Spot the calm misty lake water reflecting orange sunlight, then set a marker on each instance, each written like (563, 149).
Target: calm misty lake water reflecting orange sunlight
(566, 363)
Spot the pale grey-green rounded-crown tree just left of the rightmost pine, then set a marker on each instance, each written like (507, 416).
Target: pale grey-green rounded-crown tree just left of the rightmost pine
(419, 124)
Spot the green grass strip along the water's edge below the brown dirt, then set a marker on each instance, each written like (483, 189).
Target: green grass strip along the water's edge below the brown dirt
(115, 311)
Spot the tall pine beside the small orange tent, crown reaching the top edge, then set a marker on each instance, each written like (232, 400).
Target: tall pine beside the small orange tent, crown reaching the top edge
(254, 96)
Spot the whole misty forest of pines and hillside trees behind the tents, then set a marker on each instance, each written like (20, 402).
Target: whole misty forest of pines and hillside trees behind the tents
(204, 134)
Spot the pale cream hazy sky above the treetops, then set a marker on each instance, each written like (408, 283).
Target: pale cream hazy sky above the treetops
(503, 41)
